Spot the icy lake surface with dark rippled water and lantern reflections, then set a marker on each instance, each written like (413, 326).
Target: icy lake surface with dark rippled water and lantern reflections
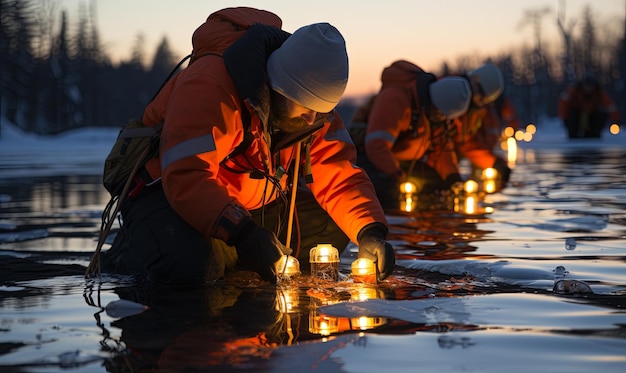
(533, 279)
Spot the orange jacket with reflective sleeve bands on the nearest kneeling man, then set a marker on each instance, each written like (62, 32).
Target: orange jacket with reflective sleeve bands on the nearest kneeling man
(206, 110)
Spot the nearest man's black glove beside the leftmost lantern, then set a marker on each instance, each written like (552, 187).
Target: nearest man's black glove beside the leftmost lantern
(258, 249)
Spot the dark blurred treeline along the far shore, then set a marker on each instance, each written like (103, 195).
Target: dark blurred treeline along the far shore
(56, 77)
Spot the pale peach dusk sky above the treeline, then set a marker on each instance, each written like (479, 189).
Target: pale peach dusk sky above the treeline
(376, 32)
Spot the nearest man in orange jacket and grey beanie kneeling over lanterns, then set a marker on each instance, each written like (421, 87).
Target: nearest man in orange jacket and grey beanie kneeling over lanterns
(250, 83)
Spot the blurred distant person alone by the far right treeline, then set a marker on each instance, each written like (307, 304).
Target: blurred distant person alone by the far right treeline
(585, 107)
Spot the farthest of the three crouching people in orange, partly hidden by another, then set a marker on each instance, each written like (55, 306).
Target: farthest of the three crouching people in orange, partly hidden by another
(476, 128)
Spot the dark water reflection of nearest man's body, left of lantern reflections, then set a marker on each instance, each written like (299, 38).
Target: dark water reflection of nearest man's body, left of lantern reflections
(187, 328)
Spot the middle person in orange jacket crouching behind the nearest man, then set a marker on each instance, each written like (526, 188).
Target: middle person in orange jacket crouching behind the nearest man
(400, 133)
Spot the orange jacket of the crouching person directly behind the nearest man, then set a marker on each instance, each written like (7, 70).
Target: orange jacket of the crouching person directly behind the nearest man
(393, 134)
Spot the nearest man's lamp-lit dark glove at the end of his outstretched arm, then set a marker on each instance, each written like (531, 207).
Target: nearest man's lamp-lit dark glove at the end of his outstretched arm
(373, 246)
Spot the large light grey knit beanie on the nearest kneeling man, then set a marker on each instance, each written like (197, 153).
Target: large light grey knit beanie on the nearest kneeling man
(311, 67)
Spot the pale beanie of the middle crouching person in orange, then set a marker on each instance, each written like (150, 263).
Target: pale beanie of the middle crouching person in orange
(451, 95)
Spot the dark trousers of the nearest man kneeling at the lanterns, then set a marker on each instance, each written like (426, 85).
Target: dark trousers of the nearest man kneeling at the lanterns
(155, 243)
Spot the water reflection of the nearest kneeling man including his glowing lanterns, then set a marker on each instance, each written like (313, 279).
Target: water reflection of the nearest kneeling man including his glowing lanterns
(222, 326)
